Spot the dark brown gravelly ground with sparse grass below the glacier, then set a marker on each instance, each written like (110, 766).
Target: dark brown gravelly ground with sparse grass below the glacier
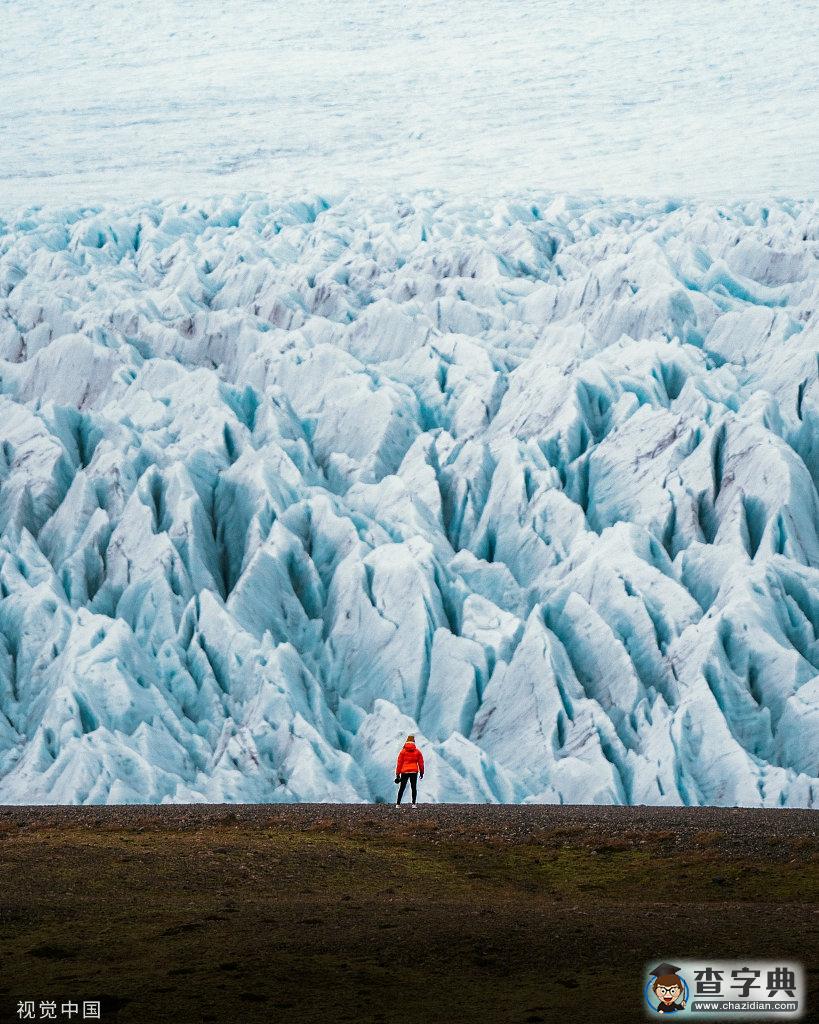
(447, 914)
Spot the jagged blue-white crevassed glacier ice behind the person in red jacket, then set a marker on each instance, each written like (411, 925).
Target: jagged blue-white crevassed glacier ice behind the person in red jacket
(535, 479)
